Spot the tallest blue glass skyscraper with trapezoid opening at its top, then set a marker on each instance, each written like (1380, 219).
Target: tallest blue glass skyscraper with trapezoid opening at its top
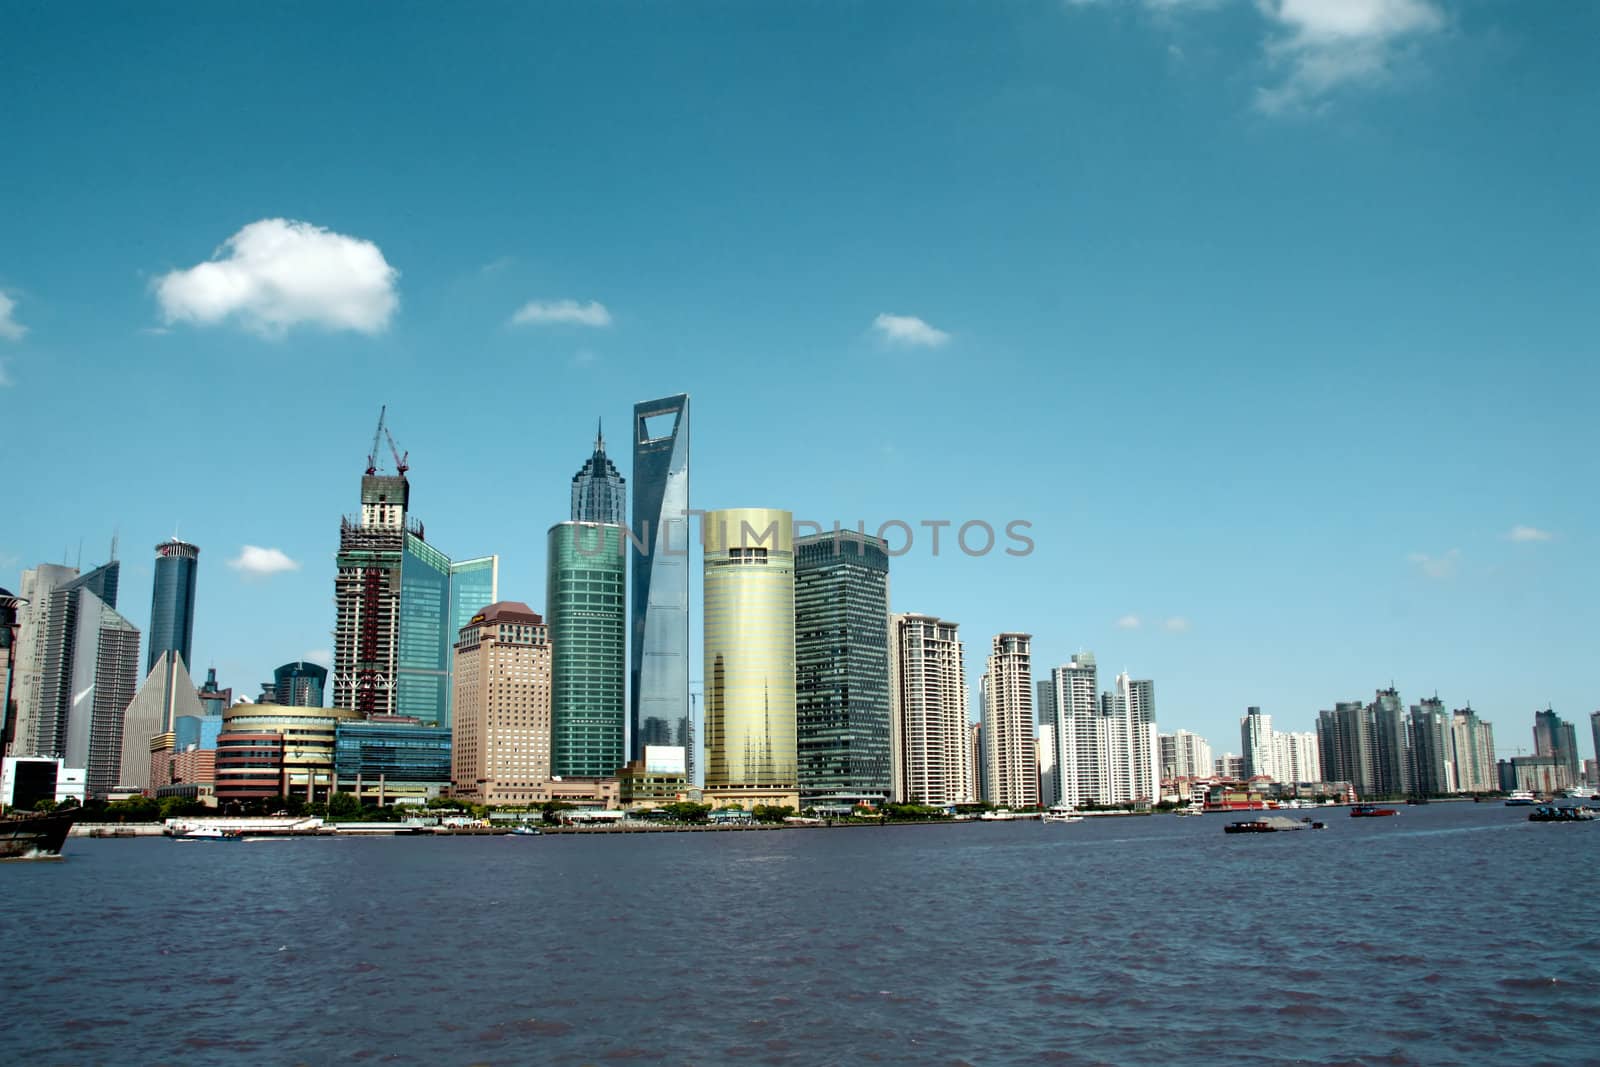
(660, 615)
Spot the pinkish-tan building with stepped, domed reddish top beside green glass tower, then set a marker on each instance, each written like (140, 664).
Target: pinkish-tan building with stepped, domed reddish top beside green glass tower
(502, 737)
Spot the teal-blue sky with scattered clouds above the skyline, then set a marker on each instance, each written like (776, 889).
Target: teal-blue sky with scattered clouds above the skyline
(1276, 321)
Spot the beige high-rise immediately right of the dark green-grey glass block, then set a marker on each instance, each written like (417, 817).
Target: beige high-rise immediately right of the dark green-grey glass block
(932, 733)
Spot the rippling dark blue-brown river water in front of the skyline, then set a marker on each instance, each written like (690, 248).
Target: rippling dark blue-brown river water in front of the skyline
(1449, 935)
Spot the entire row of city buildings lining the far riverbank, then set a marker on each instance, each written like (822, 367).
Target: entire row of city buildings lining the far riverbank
(817, 695)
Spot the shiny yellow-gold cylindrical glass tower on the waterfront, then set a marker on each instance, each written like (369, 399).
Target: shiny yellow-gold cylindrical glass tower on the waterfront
(750, 658)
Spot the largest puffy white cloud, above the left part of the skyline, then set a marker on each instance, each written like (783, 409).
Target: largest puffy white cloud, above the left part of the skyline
(278, 274)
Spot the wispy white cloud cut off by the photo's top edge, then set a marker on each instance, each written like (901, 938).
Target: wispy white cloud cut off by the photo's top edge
(1329, 46)
